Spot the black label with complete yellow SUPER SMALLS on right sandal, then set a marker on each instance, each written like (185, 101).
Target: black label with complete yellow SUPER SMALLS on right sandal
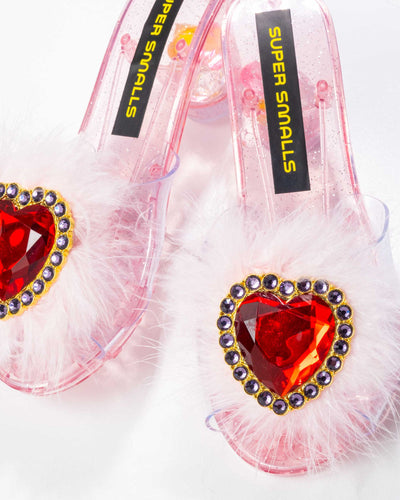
(282, 101)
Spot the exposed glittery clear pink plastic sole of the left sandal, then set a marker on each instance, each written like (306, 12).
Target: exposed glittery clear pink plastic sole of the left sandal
(147, 163)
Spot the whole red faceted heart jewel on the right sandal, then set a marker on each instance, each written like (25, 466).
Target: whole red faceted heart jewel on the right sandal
(284, 343)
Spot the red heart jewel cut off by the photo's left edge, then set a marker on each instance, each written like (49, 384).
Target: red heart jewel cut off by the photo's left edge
(26, 239)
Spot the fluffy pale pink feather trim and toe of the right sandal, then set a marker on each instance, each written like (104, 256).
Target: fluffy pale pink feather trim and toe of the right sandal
(220, 248)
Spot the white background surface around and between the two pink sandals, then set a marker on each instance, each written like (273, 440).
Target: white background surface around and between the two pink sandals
(136, 429)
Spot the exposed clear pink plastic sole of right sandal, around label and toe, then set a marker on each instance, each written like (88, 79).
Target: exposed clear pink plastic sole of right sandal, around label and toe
(332, 176)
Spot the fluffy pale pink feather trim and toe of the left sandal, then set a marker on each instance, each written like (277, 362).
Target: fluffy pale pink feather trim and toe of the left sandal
(101, 291)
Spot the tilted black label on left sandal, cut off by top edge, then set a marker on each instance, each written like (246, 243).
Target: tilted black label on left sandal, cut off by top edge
(144, 67)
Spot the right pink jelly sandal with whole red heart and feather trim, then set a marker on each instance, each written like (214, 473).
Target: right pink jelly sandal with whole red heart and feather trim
(304, 370)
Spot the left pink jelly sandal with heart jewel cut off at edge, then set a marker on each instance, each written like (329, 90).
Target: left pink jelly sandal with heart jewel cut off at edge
(100, 213)
